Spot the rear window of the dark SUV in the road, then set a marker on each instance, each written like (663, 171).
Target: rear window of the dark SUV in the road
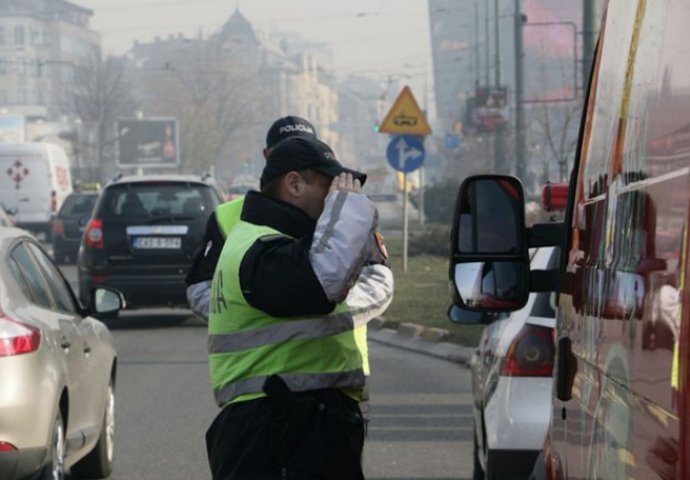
(158, 199)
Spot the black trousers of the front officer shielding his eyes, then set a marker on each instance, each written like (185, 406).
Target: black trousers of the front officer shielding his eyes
(245, 441)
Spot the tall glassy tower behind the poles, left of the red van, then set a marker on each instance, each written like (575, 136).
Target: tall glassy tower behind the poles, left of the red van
(473, 49)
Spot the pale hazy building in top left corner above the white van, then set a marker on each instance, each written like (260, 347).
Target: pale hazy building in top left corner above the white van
(42, 42)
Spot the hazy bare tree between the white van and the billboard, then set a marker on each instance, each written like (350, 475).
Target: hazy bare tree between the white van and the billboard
(100, 94)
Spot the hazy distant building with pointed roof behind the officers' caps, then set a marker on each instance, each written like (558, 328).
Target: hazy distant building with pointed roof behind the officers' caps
(257, 78)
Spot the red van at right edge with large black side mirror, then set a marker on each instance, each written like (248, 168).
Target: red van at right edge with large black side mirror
(620, 400)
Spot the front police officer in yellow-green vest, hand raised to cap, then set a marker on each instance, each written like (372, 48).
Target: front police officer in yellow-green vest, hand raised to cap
(285, 365)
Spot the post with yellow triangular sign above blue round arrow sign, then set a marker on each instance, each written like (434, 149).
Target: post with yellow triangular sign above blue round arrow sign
(405, 152)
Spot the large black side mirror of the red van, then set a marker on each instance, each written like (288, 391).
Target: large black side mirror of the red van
(489, 266)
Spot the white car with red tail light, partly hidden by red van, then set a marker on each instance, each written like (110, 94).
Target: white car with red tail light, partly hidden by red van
(511, 373)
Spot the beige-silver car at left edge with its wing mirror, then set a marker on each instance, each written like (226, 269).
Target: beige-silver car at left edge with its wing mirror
(57, 369)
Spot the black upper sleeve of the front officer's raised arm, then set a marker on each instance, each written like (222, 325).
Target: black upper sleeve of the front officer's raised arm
(277, 277)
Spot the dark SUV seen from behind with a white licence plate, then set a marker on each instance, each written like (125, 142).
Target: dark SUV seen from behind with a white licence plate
(142, 235)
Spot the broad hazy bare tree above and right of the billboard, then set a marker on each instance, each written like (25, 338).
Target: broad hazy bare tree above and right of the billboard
(218, 103)
